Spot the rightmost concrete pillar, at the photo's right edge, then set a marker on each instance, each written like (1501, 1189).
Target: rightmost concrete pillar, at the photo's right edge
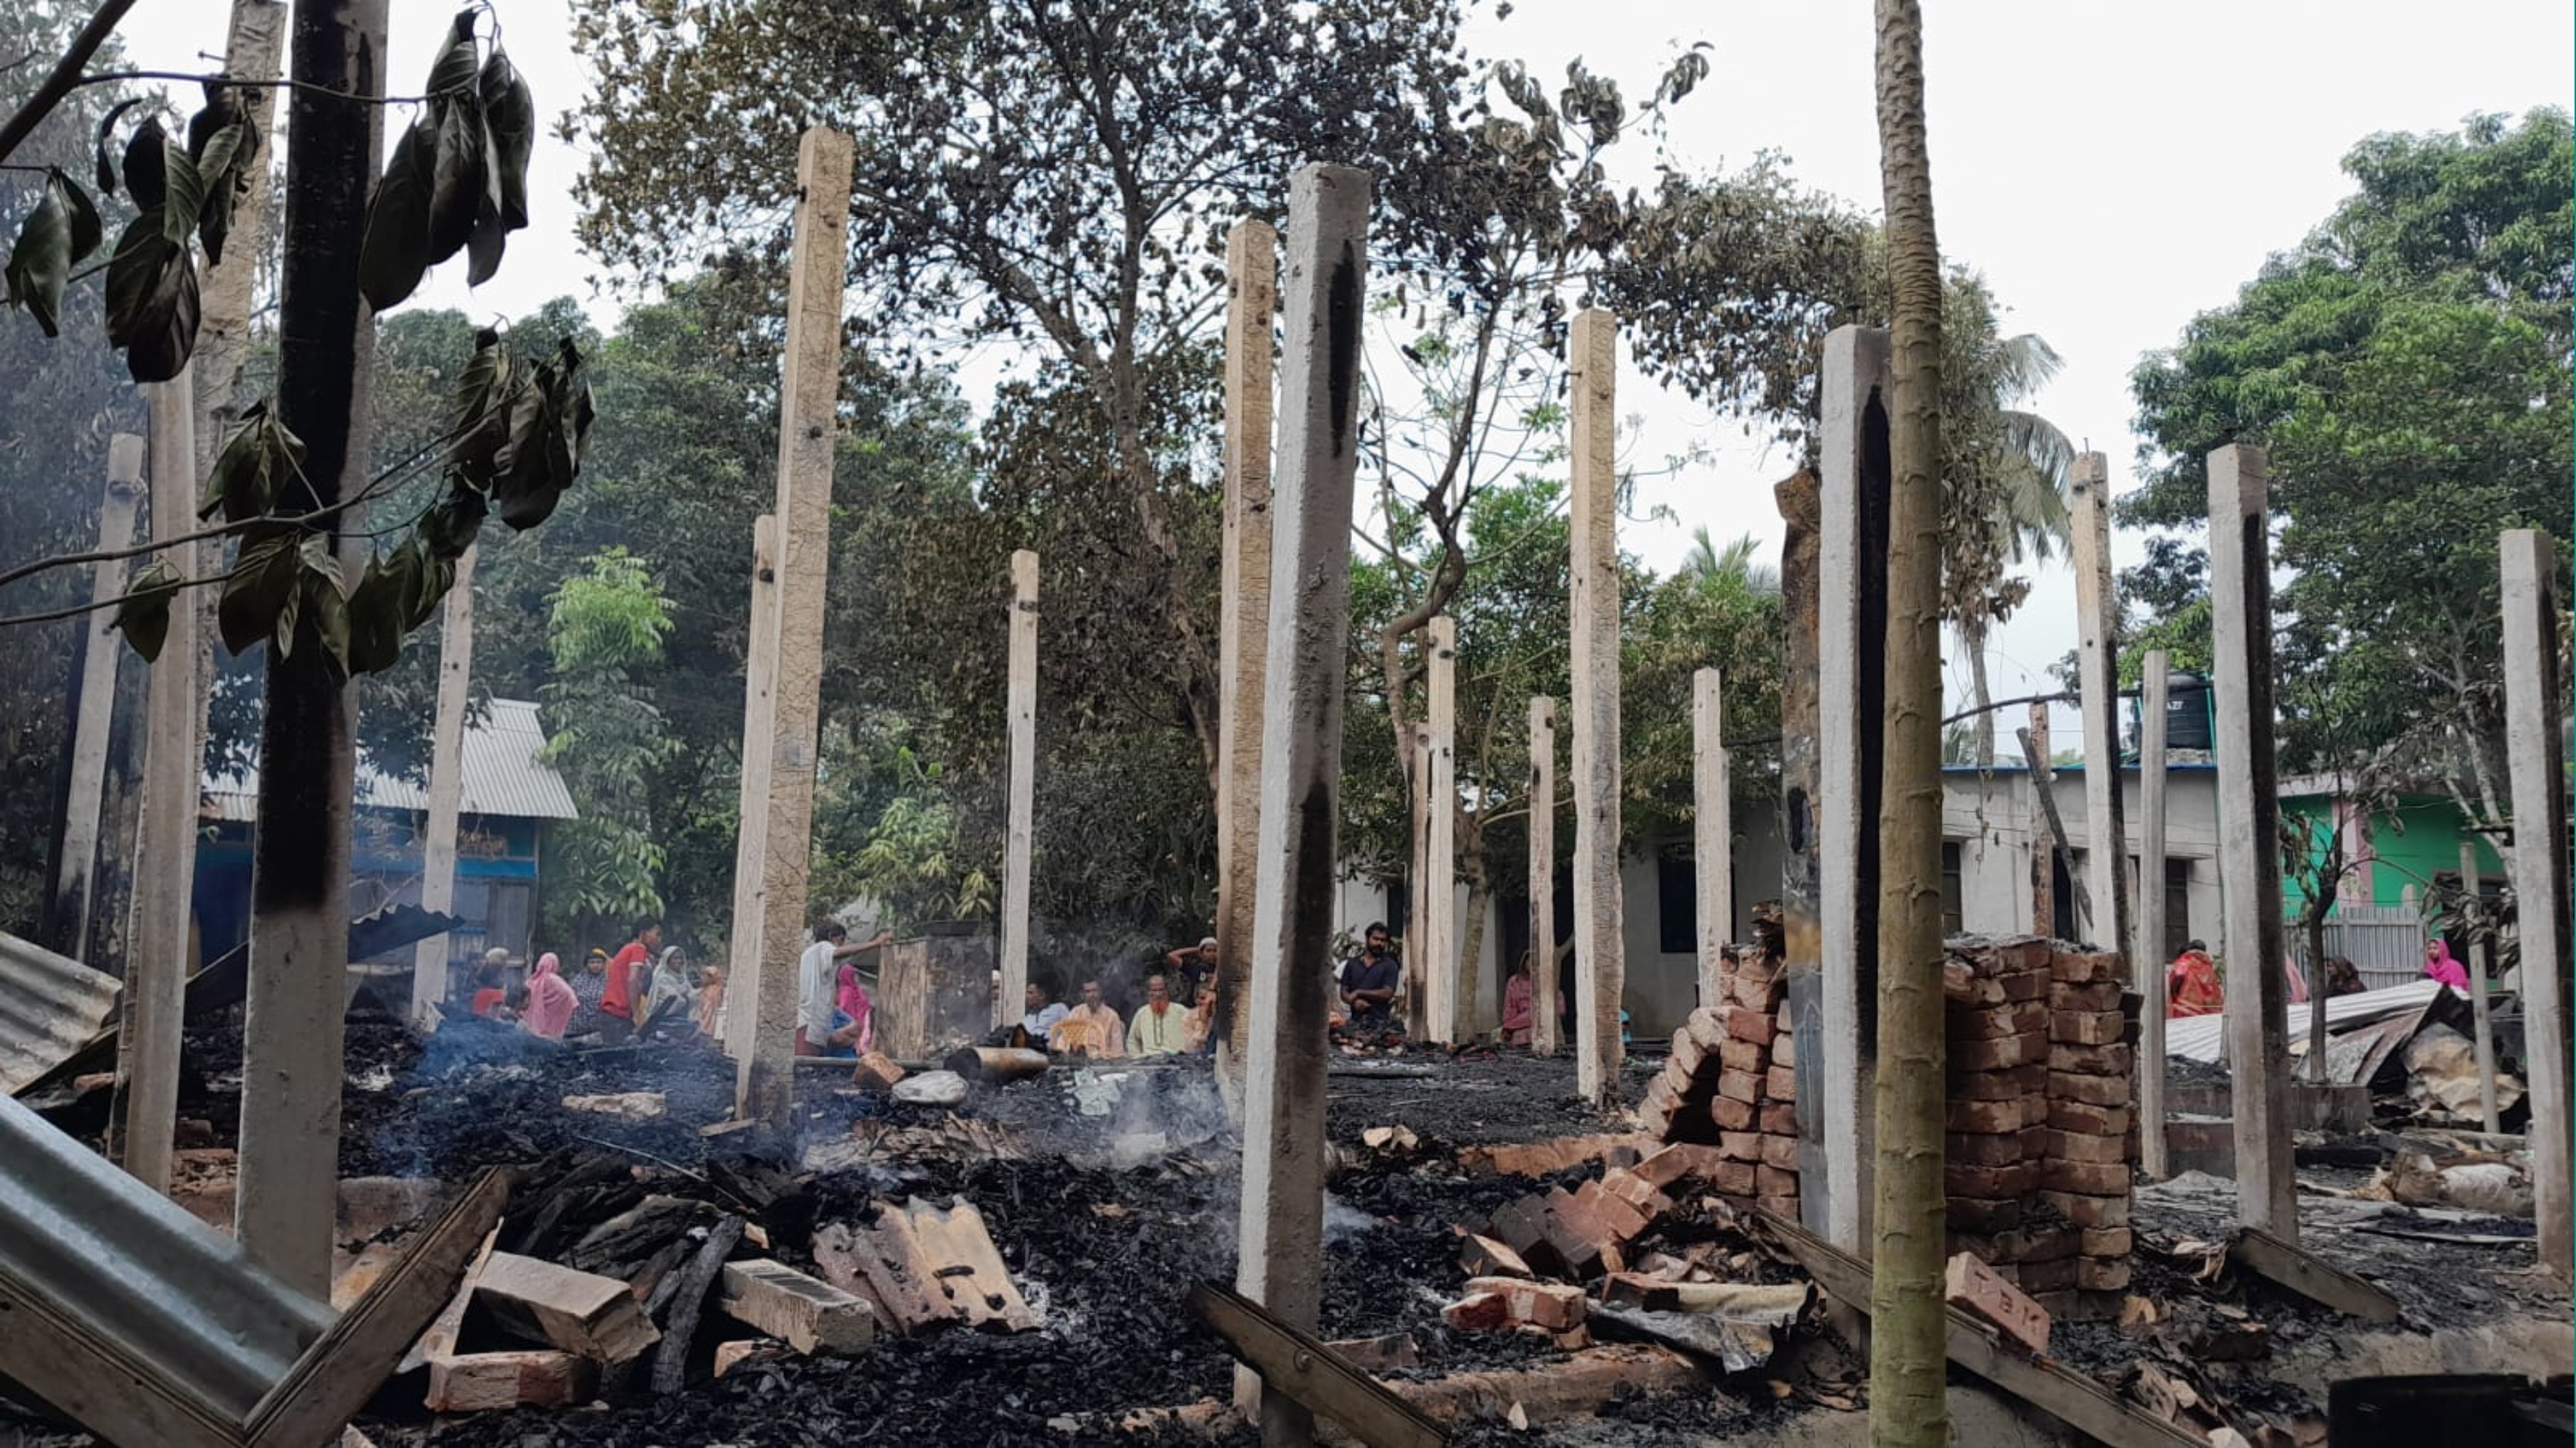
(2533, 751)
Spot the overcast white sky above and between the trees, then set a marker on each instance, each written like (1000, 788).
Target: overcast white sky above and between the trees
(2111, 169)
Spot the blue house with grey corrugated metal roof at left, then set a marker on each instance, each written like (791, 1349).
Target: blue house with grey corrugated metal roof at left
(509, 800)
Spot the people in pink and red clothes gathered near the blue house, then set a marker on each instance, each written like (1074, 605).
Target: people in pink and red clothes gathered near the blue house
(609, 998)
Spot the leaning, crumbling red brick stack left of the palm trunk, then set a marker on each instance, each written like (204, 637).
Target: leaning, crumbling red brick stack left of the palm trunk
(1732, 1083)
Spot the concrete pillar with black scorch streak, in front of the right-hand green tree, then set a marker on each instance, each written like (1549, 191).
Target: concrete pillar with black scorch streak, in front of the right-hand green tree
(2250, 839)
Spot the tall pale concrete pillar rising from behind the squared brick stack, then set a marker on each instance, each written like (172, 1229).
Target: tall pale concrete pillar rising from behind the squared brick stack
(2098, 676)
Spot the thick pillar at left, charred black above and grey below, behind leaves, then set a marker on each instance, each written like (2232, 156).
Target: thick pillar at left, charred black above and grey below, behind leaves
(300, 857)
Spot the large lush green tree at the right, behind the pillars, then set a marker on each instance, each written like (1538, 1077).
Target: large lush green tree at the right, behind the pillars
(2407, 367)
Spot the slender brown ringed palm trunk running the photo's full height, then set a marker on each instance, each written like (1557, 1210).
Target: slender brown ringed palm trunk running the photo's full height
(1908, 1362)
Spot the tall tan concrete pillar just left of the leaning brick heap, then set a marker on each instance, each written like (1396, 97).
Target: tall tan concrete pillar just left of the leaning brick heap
(1598, 952)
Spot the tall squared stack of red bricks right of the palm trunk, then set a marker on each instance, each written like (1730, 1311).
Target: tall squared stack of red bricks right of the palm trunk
(2039, 1119)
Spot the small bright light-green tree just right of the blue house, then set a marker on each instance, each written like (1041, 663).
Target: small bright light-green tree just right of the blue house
(607, 738)
